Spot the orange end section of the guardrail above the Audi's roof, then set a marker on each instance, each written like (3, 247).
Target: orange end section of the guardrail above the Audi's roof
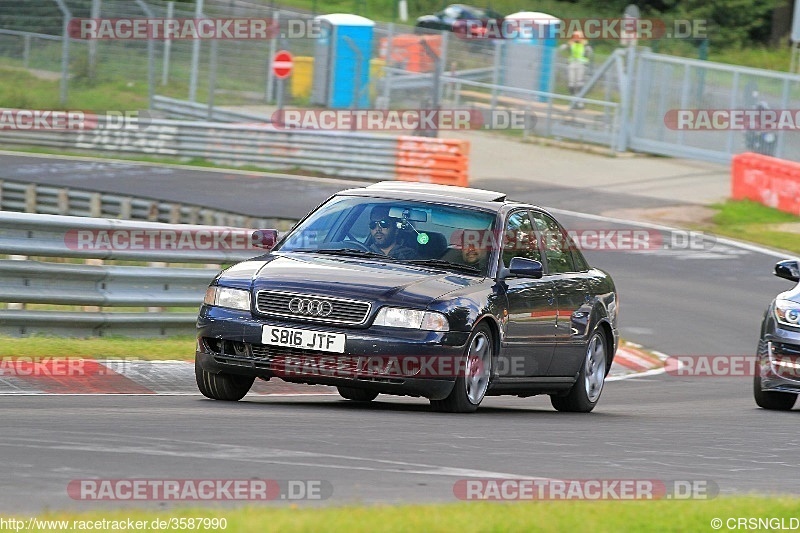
(429, 160)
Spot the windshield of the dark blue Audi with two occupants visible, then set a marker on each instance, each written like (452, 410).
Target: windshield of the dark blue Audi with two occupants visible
(398, 230)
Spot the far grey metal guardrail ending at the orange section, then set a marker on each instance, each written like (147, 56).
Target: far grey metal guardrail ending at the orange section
(347, 154)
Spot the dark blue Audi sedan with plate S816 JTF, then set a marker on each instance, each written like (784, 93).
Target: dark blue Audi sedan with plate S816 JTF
(446, 293)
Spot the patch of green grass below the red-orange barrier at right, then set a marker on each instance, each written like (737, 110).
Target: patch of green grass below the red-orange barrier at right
(750, 221)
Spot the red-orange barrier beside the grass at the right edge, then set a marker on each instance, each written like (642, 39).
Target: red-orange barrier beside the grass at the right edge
(768, 180)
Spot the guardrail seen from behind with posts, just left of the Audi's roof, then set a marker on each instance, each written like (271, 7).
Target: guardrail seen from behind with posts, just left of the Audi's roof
(44, 199)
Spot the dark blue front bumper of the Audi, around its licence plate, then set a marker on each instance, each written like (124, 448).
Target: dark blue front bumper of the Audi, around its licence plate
(385, 360)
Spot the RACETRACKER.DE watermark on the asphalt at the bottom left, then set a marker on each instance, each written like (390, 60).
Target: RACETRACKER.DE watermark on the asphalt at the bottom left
(198, 489)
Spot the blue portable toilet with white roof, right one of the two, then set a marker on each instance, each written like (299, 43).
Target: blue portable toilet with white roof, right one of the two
(531, 53)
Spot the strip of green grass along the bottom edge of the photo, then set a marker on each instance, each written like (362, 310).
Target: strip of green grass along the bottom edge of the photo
(602, 516)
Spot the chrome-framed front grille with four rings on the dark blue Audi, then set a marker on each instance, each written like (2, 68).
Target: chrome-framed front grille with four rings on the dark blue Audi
(312, 307)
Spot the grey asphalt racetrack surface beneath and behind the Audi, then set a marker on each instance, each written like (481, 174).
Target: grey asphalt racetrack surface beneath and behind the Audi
(702, 301)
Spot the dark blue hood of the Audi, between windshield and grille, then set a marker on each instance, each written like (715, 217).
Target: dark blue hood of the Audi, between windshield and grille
(355, 278)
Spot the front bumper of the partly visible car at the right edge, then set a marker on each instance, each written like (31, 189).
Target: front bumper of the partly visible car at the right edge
(779, 361)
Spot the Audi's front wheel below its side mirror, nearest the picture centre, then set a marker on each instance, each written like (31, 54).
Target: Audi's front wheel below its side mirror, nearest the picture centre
(471, 384)
